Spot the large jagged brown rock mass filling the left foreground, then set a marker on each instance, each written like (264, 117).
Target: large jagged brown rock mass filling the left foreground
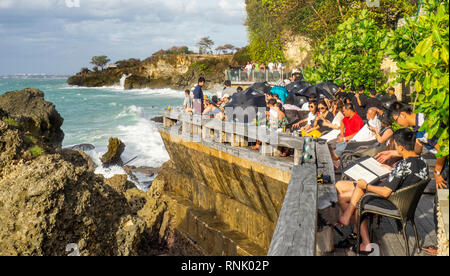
(50, 198)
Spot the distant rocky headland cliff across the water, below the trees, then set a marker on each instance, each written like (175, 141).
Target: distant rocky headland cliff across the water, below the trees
(161, 71)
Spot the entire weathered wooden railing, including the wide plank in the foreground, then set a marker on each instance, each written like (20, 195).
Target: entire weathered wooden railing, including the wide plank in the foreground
(295, 233)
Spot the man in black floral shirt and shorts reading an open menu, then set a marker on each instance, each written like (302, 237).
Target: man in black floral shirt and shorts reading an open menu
(409, 171)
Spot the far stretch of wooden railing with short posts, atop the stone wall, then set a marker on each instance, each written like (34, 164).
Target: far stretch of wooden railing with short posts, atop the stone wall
(201, 128)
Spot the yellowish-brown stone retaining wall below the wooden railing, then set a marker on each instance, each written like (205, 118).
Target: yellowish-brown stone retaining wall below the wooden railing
(227, 204)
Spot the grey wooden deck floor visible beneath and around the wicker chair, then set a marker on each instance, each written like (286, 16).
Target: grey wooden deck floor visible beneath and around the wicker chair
(391, 240)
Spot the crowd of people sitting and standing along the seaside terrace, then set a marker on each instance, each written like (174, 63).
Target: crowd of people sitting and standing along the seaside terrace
(352, 121)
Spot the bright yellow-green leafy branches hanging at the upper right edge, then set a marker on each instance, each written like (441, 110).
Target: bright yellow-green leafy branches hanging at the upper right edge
(422, 49)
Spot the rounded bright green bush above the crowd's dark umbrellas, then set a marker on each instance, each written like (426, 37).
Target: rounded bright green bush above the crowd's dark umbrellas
(353, 55)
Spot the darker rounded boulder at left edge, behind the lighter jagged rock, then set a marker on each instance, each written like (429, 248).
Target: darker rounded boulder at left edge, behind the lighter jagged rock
(36, 115)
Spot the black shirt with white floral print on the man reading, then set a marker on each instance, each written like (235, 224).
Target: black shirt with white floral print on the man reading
(407, 172)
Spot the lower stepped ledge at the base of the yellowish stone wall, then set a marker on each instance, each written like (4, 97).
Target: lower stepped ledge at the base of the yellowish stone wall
(208, 232)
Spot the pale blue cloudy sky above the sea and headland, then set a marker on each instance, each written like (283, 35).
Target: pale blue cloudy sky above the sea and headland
(61, 36)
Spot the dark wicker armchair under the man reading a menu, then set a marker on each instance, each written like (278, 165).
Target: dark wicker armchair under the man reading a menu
(405, 200)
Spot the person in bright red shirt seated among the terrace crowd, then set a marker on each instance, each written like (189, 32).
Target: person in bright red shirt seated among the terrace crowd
(350, 126)
